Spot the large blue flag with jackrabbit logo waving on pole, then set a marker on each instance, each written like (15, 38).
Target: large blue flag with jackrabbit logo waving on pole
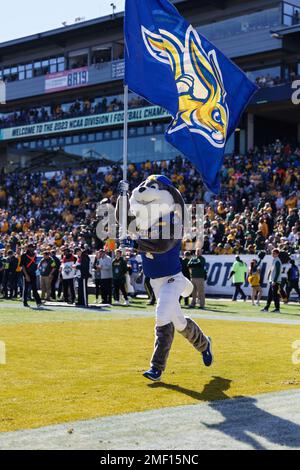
(170, 64)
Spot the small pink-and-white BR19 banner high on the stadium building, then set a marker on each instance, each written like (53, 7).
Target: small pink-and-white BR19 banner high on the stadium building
(66, 80)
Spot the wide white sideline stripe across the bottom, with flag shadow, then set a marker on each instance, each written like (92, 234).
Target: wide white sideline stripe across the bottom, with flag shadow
(269, 421)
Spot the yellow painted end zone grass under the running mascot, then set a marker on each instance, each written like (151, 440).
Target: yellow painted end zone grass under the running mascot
(63, 372)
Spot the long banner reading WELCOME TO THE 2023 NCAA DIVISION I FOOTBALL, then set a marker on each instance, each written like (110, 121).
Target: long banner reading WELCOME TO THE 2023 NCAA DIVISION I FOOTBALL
(82, 123)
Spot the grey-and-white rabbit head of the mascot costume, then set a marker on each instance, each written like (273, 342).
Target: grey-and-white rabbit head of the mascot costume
(155, 199)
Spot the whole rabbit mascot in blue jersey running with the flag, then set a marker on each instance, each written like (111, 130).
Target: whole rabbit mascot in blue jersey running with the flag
(156, 209)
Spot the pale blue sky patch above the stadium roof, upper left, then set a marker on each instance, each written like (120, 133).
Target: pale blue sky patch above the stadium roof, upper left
(19, 18)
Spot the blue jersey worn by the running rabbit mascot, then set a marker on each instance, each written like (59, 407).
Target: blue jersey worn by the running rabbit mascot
(162, 265)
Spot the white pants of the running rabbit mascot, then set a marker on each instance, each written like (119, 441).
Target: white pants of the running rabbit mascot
(167, 292)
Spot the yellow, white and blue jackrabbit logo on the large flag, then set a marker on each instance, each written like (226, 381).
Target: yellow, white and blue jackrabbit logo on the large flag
(202, 105)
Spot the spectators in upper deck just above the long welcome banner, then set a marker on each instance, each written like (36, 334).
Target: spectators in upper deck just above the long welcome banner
(78, 108)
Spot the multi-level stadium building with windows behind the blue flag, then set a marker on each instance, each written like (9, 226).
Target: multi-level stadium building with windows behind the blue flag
(64, 88)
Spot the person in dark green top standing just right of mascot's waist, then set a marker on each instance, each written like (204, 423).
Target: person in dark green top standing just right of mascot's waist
(198, 275)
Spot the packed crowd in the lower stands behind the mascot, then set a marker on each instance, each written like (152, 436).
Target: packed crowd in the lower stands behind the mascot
(258, 208)
